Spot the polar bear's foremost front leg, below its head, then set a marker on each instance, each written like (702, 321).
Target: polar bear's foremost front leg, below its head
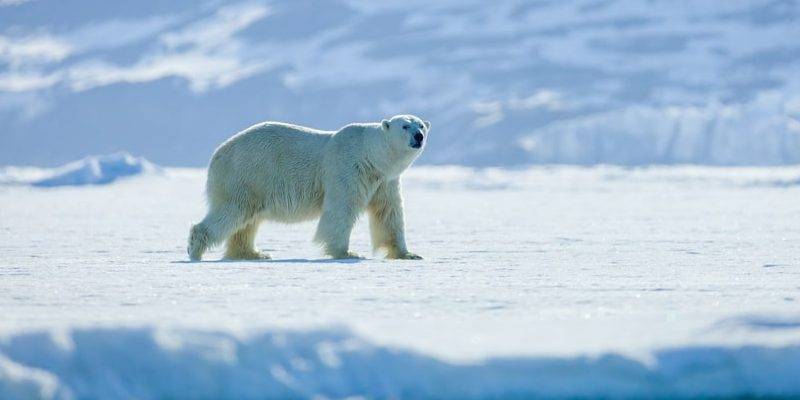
(386, 224)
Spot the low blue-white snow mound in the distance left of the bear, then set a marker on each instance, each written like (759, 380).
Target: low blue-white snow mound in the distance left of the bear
(92, 170)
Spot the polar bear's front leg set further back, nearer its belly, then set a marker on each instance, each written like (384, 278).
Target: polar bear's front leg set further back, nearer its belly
(340, 209)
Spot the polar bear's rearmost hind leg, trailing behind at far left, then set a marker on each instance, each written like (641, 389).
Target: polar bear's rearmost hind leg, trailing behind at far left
(218, 224)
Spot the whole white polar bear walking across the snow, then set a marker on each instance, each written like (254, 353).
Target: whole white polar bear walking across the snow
(287, 173)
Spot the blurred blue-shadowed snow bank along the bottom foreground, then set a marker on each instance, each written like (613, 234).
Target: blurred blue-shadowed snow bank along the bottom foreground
(147, 363)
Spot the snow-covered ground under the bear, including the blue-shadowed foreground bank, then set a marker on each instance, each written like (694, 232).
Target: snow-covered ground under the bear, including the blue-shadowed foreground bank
(550, 281)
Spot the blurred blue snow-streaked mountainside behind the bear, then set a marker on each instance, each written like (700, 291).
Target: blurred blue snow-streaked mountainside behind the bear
(505, 83)
